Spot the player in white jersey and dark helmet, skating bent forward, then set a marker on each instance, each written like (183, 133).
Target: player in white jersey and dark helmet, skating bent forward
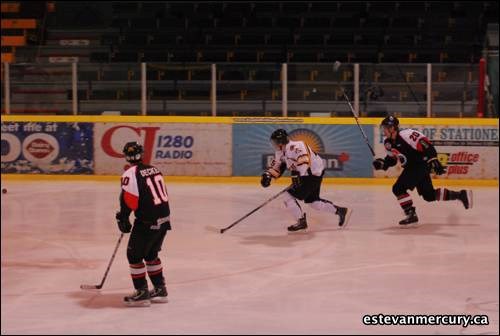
(307, 171)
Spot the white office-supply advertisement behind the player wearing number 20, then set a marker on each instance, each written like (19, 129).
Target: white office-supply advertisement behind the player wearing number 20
(466, 152)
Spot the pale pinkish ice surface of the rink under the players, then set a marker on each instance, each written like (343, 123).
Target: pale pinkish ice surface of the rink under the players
(256, 278)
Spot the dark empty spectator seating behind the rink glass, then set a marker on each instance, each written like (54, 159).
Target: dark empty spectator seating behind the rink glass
(178, 33)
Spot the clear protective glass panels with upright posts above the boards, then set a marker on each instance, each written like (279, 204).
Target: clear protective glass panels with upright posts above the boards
(253, 89)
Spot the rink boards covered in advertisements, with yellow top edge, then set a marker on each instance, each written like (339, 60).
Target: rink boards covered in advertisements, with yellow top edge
(236, 147)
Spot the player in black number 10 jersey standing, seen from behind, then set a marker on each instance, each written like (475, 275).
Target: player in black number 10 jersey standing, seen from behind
(144, 192)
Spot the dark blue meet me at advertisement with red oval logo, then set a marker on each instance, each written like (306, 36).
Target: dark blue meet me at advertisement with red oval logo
(47, 148)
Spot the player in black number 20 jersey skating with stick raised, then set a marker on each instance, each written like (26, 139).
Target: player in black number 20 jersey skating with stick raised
(418, 158)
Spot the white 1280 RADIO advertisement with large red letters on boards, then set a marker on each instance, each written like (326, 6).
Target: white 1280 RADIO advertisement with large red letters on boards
(176, 149)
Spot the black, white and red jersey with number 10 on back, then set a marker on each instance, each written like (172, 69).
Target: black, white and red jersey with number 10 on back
(145, 193)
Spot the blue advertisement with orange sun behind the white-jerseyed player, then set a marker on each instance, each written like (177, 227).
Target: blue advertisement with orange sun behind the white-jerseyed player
(342, 147)
